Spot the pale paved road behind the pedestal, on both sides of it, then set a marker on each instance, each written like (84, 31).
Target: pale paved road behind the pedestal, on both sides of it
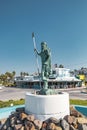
(18, 93)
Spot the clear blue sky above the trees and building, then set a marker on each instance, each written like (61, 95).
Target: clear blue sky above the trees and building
(61, 23)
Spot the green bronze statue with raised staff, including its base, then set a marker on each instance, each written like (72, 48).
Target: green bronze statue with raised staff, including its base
(45, 55)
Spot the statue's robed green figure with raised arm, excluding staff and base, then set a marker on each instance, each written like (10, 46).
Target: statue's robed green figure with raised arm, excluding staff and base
(45, 55)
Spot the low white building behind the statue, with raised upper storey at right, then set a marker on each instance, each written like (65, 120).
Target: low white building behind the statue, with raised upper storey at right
(60, 78)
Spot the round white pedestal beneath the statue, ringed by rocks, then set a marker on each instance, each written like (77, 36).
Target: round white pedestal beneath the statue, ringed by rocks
(46, 106)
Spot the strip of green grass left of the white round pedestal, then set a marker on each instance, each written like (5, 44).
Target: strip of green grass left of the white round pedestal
(14, 102)
